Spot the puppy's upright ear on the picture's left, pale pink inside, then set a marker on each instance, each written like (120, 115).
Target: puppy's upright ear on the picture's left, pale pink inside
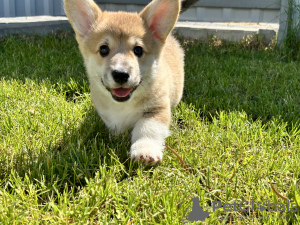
(82, 14)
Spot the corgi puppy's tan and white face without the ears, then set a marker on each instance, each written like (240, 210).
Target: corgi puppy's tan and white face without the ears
(120, 54)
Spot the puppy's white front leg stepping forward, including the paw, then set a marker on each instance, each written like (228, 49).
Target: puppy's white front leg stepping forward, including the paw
(148, 138)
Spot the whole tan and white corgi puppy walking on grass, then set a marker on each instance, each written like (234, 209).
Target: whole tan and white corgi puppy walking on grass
(135, 69)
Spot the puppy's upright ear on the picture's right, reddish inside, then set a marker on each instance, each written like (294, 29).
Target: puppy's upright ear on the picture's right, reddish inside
(161, 16)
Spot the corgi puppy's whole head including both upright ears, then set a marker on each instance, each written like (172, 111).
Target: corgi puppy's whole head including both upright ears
(121, 50)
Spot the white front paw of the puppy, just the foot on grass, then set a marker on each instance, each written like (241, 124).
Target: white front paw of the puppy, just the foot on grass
(147, 152)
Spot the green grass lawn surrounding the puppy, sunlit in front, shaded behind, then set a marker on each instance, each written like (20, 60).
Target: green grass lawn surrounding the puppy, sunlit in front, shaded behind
(237, 129)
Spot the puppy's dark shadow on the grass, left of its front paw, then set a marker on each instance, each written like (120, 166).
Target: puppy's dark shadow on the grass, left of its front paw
(76, 158)
